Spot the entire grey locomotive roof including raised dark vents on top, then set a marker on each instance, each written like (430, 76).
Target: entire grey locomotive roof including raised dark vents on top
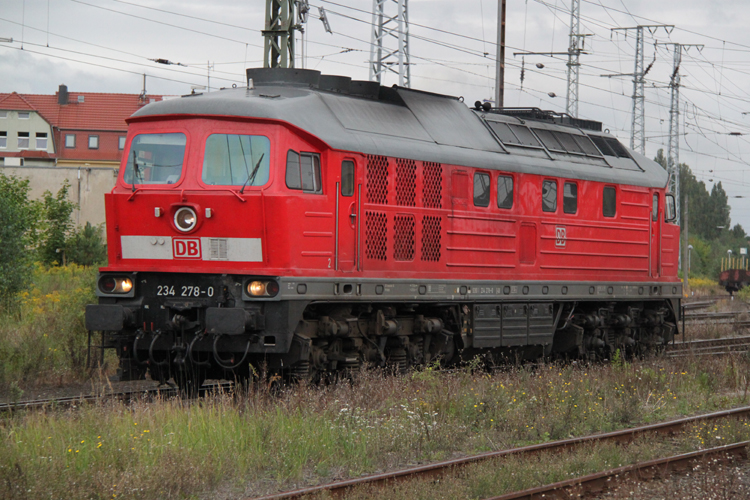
(404, 123)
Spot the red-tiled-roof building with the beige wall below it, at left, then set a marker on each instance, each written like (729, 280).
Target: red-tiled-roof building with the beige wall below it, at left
(73, 136)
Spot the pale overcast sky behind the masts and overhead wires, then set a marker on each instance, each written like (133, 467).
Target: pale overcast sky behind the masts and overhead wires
(105, 46)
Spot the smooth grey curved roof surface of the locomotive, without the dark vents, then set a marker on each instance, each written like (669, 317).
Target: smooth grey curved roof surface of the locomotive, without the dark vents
(418, 126)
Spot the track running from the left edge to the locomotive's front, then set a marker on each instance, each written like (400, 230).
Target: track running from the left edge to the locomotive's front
(72, 401)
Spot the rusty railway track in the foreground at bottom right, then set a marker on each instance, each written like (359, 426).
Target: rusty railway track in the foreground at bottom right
(441, 469)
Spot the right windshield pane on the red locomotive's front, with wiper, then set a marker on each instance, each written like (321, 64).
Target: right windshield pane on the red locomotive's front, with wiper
(236, 160)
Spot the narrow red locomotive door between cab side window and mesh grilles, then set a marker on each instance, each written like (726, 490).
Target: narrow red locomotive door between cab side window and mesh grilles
(347, 215)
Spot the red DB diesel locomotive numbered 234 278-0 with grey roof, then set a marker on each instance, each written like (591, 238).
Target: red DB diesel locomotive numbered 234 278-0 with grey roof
(307, 224)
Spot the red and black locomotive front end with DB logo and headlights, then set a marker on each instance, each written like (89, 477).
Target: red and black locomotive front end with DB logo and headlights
(189, 293)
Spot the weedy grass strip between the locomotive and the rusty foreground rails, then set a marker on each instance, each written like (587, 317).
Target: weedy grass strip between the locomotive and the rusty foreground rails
(259, 443)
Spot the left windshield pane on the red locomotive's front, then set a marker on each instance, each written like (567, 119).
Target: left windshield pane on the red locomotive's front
(155, 159)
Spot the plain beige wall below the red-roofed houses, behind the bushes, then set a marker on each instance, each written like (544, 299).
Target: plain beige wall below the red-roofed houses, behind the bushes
(87, 186)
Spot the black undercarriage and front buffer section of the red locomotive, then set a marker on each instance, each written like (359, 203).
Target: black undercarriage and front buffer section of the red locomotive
(217, 333)
